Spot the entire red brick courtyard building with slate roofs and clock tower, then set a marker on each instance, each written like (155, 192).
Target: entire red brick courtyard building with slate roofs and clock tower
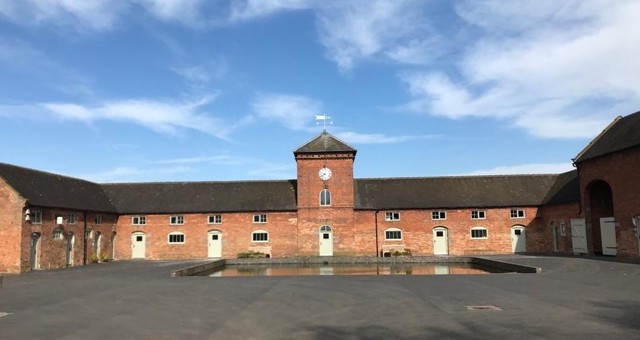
(52, 221)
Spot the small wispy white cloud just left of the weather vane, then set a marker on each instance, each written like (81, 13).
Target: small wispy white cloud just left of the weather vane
(292, 111)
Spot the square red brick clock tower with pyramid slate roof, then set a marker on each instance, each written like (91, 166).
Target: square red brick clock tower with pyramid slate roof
(325, 197)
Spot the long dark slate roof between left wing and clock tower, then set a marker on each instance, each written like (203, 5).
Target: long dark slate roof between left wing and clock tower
(192, 197)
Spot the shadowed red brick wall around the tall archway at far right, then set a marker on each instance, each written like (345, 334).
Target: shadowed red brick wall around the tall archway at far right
(620, 171)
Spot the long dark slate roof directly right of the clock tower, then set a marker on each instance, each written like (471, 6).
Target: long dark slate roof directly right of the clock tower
(452, 192)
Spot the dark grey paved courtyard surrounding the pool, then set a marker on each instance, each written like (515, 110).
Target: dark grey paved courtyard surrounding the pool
(571, 298)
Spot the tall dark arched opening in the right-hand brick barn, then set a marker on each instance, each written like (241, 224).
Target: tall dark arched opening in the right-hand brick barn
(603, 234)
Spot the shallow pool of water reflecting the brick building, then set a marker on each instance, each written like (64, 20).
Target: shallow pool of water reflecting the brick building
(351, 269)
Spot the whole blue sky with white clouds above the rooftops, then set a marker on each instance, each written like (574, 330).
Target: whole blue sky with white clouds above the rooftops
(162, 90)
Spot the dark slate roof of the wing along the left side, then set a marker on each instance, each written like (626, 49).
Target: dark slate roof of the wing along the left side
(56, 191)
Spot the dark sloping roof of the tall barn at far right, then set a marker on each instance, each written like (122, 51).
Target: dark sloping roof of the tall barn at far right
(623, 133)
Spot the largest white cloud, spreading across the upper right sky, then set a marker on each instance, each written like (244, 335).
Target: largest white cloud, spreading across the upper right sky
(553, 69)
